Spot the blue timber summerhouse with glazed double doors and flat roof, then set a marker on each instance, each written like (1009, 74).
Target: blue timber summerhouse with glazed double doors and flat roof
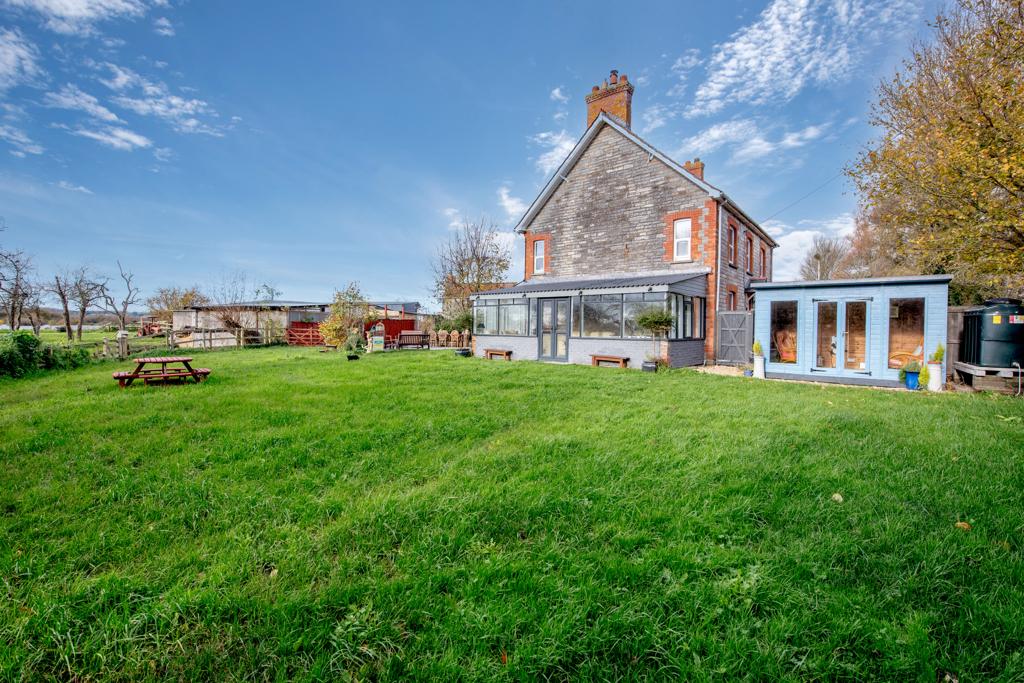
(850, 331)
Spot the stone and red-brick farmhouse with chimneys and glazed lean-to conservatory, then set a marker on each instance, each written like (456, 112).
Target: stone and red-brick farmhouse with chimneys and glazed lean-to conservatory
(619, 230)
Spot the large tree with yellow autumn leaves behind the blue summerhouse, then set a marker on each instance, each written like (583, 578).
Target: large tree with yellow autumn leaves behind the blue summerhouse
(946, 182)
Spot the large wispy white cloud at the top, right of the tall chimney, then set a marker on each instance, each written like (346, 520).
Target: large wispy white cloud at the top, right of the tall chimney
(796, 44)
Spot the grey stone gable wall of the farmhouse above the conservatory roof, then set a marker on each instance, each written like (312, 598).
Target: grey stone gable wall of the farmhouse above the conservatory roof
(610, 217)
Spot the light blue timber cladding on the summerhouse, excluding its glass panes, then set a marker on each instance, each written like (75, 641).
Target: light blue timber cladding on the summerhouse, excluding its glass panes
(878, 296)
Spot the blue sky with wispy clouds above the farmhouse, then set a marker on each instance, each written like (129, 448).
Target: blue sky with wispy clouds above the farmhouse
(313, 144)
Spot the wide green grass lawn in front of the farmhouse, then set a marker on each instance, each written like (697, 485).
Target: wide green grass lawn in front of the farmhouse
(418, 516)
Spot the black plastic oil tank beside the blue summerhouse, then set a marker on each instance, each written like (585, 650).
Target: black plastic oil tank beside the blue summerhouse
(994, 336)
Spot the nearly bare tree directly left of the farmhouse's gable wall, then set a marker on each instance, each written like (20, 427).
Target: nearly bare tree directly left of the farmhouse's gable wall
(475, 259)
